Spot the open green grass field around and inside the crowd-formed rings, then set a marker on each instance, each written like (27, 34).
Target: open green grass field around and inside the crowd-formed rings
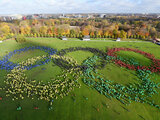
(81, 109)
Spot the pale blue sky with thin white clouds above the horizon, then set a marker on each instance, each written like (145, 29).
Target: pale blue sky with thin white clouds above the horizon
(78, 6)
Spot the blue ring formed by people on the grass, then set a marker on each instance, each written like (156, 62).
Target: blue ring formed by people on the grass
(5, 64)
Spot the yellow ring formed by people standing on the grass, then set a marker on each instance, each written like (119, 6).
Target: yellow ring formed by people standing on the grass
(18, 86)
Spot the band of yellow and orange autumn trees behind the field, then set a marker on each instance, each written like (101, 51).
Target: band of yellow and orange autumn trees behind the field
(77, 28)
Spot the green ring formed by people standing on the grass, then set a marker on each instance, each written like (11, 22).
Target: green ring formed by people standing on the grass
(125, 94)
